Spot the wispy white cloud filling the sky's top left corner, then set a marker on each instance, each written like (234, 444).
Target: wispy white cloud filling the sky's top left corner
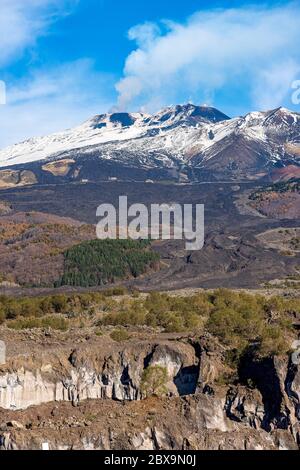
(23, 21)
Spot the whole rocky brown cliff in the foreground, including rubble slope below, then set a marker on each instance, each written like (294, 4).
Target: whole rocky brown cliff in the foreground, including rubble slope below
(92, 397)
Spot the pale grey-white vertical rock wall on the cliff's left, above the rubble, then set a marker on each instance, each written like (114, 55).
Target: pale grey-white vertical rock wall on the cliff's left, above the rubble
(90, 374)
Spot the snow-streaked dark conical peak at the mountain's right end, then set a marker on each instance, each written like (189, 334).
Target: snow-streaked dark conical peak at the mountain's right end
(257, 141)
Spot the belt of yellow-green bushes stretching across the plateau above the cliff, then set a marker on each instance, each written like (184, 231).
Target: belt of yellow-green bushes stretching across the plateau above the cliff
(239, 320)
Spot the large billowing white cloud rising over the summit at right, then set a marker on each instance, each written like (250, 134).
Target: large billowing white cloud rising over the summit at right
(255, 49)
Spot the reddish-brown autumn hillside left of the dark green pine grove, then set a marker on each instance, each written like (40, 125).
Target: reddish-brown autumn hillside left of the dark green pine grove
(32, 246)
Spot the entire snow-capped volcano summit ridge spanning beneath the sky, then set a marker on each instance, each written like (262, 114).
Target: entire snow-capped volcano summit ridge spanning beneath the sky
(197, 137)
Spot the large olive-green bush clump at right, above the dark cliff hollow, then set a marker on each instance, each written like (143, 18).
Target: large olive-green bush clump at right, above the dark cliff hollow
(241, 320)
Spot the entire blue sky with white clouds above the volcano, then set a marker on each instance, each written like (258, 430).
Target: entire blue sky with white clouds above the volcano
(64, 60)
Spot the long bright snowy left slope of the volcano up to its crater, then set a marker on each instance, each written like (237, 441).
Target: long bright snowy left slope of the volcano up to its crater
(114, 128)
